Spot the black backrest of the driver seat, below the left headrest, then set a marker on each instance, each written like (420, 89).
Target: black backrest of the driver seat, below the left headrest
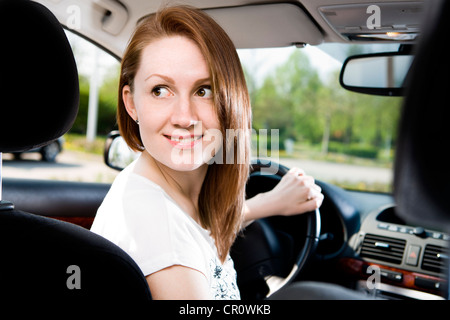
(38, 254)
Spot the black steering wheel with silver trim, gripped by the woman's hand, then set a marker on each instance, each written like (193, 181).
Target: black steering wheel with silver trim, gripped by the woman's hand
(261, 231)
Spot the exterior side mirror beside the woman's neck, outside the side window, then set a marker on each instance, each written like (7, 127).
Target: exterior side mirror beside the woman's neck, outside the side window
(117, 154)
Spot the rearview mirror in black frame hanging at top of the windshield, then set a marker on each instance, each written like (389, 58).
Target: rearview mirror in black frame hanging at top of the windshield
(378, 74)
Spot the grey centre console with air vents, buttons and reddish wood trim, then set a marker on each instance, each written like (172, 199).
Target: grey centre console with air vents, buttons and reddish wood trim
(411, 261)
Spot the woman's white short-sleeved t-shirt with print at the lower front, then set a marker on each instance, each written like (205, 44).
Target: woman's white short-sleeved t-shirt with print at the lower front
(143, 220)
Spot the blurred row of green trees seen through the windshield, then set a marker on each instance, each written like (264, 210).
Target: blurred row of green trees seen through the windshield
(294, 100)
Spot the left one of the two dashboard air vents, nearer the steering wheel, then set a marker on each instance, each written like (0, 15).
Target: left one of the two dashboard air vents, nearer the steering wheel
(383, 248)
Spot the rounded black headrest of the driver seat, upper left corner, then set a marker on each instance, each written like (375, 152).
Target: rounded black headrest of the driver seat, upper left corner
(39, 91)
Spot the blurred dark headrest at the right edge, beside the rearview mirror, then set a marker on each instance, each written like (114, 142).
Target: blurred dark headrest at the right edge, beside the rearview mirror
(422, 171)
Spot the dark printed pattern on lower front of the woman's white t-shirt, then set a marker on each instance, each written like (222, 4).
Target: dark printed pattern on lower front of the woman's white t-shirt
(223, 280)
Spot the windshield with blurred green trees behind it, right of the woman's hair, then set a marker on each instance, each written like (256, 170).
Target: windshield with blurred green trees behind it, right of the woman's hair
(335, 135)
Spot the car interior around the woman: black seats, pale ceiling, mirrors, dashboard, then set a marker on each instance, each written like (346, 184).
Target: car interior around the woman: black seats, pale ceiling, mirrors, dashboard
(358, 245)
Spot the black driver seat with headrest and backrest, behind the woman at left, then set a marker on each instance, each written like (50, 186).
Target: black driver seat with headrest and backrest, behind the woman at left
(42, 258)
